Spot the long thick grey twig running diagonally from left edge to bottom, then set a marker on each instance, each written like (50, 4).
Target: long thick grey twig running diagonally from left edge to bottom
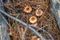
(39, 35)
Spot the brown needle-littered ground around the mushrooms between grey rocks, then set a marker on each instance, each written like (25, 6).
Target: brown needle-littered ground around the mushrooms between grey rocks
(46, 20)
